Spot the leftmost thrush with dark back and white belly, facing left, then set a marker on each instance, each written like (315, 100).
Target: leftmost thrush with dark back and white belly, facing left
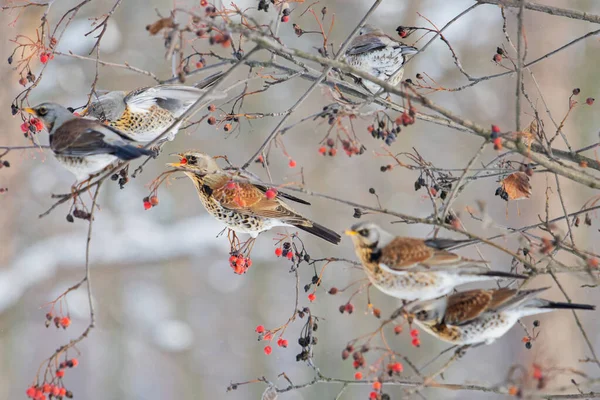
(83, 146)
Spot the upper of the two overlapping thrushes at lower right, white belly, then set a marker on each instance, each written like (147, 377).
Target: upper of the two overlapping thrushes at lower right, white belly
(415, 269)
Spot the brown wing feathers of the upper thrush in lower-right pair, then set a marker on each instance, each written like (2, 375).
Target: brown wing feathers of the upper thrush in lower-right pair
(403, 253)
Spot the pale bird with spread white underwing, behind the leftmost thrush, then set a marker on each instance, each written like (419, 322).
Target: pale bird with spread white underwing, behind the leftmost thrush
(145, 113)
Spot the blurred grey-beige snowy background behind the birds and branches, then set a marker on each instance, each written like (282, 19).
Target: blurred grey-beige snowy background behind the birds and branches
(173, 320)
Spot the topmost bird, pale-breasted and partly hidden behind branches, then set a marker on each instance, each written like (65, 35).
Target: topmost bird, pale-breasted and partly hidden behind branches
(374, 52)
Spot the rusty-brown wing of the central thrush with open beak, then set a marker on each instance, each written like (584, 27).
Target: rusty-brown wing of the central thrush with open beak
(246, 197)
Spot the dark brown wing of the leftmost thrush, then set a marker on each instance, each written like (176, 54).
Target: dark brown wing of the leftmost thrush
(82, 137)
